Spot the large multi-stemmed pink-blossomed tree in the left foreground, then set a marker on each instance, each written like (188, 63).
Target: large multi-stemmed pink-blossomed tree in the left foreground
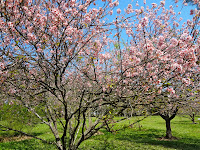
(53, 62)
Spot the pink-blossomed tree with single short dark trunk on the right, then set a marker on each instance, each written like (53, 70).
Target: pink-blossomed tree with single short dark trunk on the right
(159, 60)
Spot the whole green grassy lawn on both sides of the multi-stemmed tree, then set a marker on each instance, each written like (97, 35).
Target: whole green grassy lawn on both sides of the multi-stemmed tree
(143, 136)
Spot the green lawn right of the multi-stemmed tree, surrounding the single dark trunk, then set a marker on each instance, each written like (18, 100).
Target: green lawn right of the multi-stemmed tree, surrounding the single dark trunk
(147, 137)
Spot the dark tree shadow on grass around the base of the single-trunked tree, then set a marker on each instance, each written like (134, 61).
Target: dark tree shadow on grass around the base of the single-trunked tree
(152, 136)
